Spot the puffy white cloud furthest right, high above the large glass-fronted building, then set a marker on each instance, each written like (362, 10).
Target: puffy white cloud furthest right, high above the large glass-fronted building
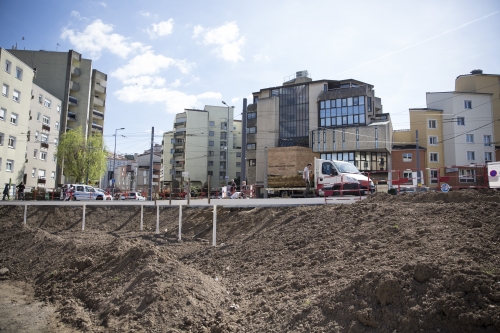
(225, 38)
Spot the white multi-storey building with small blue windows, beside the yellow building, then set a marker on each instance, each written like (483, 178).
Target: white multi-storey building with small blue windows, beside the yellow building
(468, 136)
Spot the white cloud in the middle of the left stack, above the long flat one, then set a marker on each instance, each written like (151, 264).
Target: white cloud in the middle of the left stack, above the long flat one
(149, 64)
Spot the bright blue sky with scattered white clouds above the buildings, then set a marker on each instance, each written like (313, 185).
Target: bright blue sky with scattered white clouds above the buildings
(164, 56)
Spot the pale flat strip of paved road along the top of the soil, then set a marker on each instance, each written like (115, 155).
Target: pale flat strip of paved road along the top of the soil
(198, 202)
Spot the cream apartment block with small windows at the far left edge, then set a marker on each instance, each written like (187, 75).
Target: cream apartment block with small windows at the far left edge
(16, 79)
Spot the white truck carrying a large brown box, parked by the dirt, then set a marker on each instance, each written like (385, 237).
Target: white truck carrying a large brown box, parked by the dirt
(285, 174)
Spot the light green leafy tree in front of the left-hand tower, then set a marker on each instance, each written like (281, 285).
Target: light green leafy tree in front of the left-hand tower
(81, 158)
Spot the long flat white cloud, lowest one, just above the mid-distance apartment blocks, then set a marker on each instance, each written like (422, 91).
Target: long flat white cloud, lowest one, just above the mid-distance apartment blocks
(175, 101)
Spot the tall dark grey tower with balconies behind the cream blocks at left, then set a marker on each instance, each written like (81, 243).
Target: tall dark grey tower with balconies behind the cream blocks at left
(70, 78)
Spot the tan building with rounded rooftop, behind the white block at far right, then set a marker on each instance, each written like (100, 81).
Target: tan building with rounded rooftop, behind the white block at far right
(479, 82)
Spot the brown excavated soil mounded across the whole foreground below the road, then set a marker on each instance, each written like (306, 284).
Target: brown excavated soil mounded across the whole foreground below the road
(427, 262)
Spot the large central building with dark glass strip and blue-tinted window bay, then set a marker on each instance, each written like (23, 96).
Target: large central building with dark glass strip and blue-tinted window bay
(340, 119)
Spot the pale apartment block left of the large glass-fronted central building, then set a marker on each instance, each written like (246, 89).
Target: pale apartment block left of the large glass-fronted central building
(204, 142)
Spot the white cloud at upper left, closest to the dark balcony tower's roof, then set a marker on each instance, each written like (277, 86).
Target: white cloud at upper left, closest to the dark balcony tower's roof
(97, 37)
